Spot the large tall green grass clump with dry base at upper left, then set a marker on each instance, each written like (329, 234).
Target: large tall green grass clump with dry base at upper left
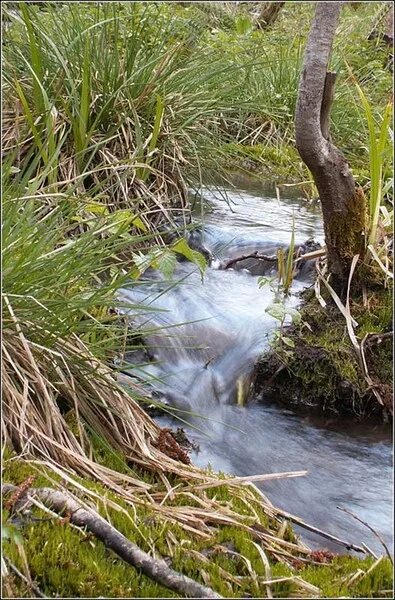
(118, 96)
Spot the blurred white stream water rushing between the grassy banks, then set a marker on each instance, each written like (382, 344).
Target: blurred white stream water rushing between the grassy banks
(205, 336)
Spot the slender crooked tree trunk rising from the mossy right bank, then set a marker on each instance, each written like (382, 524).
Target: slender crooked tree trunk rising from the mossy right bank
(343, 204)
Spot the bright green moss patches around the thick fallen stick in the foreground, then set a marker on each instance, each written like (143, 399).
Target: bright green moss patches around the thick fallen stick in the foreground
(67, 562)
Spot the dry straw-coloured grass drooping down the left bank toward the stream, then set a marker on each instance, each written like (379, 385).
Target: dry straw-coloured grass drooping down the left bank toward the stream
(37, 381)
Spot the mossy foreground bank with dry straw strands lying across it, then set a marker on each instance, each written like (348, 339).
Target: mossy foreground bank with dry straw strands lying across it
(230, 558)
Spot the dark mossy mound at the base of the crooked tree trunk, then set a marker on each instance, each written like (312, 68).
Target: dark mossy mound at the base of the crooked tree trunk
(322, 371)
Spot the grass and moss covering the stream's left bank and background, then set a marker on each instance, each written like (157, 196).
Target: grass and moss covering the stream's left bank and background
(111, 113)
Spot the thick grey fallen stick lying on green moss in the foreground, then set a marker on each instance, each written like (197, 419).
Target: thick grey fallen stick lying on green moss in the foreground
(156, 569)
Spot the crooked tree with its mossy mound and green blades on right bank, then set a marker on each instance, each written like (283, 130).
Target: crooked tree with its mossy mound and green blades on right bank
(327, 367)
